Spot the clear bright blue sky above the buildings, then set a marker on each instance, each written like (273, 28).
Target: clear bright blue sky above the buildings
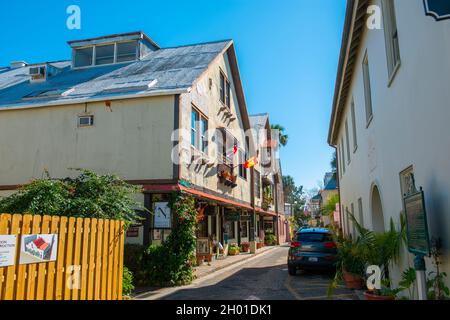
(287, 53)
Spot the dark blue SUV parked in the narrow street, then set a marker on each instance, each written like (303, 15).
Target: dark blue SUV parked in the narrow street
(312, 248)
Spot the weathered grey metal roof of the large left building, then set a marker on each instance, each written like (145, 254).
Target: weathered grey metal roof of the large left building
(163, 71)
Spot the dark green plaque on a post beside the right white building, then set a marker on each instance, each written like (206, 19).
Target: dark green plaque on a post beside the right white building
(416, 222)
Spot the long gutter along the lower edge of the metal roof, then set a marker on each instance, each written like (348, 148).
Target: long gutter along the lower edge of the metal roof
(164, 92)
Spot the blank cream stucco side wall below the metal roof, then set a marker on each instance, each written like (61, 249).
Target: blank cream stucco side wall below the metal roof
(133, 140)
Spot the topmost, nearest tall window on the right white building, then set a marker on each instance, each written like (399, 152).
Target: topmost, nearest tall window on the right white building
(391, 37)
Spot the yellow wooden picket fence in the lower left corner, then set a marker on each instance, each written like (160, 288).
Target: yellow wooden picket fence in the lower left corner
(94, 245)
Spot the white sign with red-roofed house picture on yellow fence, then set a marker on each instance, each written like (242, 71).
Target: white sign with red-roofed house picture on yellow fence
(36, 248)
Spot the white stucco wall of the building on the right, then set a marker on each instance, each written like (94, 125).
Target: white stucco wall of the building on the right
(409, 126)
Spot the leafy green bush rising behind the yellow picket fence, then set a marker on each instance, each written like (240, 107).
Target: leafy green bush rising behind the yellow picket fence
(88, 195)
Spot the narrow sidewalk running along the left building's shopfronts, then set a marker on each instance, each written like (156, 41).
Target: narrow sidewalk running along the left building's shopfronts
(200, 272)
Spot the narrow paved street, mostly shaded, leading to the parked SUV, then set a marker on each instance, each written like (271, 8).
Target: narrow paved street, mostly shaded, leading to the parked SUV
(264, 277)
